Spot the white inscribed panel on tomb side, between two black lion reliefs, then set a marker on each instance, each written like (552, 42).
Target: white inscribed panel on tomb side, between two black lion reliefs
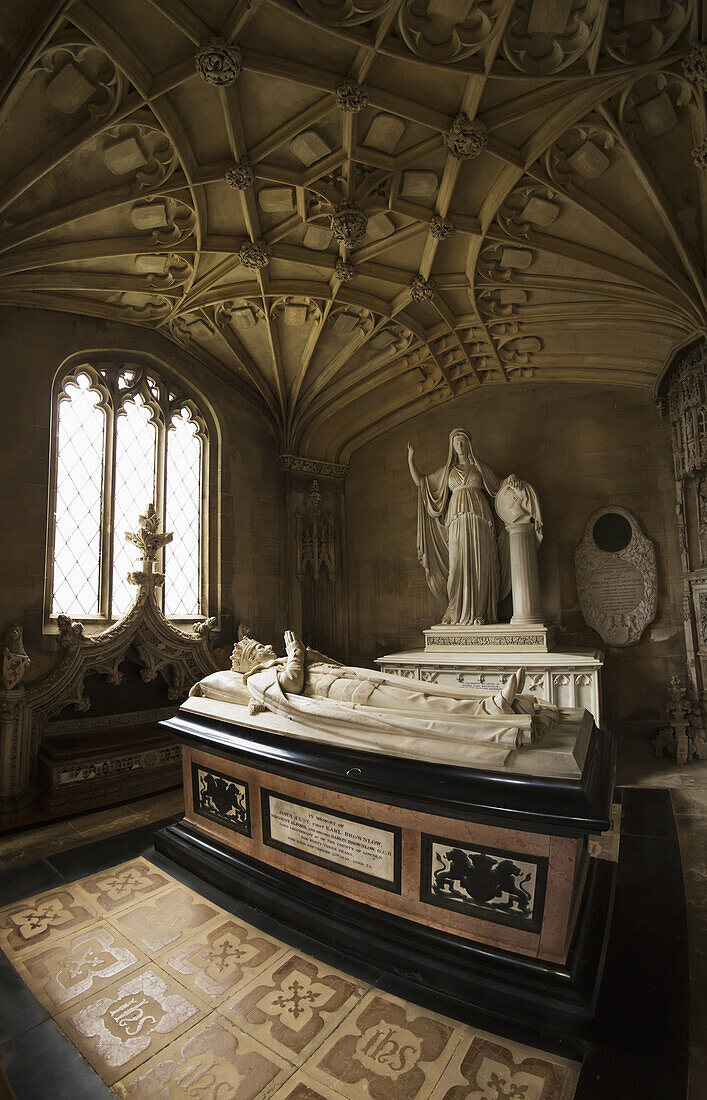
(355, 846)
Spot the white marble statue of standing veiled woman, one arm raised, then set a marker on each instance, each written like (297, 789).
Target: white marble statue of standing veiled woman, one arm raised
(461, 544)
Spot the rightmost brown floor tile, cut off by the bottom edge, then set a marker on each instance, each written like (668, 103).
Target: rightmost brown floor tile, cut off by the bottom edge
(492, 1069)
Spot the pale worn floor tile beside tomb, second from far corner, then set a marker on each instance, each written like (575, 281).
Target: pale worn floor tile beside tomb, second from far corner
(162, 920)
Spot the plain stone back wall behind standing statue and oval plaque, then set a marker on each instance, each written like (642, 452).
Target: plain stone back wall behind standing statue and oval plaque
(583, 448)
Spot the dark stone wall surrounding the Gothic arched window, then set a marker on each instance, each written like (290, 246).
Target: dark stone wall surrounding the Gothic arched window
(248, 522)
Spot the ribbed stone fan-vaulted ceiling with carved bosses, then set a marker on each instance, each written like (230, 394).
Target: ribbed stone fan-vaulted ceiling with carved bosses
(358, 210)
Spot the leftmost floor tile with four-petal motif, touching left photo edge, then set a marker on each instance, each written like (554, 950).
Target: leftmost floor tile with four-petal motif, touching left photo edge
(45, 918)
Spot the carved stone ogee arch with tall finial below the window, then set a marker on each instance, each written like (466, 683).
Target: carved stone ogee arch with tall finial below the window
(181, 657)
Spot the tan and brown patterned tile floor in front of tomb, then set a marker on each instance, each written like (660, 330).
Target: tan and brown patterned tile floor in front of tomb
(168, 995)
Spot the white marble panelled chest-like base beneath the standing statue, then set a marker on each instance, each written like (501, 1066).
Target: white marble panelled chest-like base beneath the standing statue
(567, 678)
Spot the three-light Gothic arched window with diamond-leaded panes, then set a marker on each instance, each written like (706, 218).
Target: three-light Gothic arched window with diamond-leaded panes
(125, 439)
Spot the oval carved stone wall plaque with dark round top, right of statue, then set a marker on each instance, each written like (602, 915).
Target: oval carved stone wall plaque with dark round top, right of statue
(617, 578)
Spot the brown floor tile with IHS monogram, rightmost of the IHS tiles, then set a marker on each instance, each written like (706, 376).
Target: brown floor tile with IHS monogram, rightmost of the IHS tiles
(388, 1050)
